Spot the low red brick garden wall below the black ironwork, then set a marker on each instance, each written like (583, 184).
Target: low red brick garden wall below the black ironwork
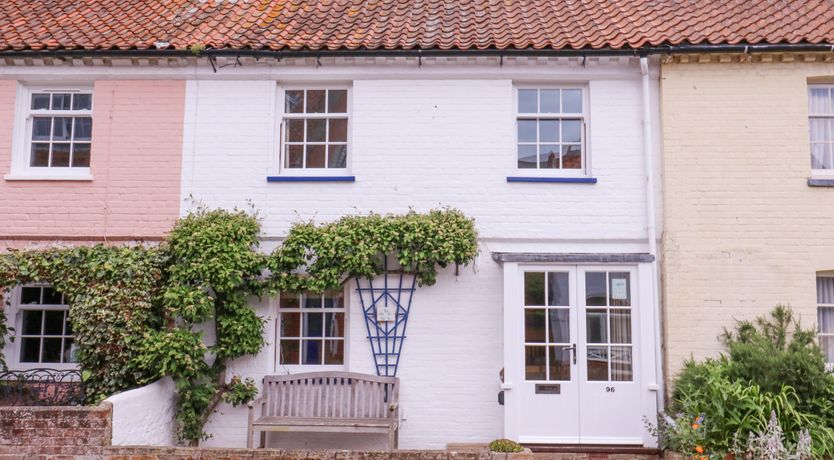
(55, 430)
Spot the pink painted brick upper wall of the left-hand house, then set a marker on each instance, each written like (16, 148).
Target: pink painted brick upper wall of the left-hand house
(135, 163)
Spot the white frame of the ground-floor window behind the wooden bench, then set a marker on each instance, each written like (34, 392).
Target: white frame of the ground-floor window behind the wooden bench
(296, 368)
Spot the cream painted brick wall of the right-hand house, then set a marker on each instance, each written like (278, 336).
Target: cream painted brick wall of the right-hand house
(743, 230)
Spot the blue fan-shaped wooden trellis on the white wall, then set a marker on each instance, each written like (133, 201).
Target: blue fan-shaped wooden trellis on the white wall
(393, 291)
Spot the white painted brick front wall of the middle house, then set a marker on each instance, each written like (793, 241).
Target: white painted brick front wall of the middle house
(419, 141)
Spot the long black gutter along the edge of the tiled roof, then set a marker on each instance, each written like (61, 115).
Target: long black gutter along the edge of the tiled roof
(526, 52)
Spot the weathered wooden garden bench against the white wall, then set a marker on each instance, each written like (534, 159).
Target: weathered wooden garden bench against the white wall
(331, 402)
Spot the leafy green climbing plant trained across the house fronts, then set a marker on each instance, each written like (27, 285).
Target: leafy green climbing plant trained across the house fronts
(181, 308)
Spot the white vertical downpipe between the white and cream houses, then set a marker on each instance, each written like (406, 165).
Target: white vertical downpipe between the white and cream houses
(651, 228)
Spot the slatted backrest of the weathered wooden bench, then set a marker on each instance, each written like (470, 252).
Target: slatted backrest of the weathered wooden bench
(330, 395)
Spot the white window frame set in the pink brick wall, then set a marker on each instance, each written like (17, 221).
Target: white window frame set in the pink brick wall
(22, 137)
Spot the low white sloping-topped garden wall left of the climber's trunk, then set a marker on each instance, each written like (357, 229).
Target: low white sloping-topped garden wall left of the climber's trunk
(145, 416)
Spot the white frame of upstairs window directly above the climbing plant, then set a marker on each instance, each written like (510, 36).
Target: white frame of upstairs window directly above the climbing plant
(278, 165)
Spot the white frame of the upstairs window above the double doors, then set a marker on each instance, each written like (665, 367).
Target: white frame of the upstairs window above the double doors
(584, 117)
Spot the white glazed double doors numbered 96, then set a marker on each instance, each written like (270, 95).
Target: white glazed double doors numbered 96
(576, 355)
